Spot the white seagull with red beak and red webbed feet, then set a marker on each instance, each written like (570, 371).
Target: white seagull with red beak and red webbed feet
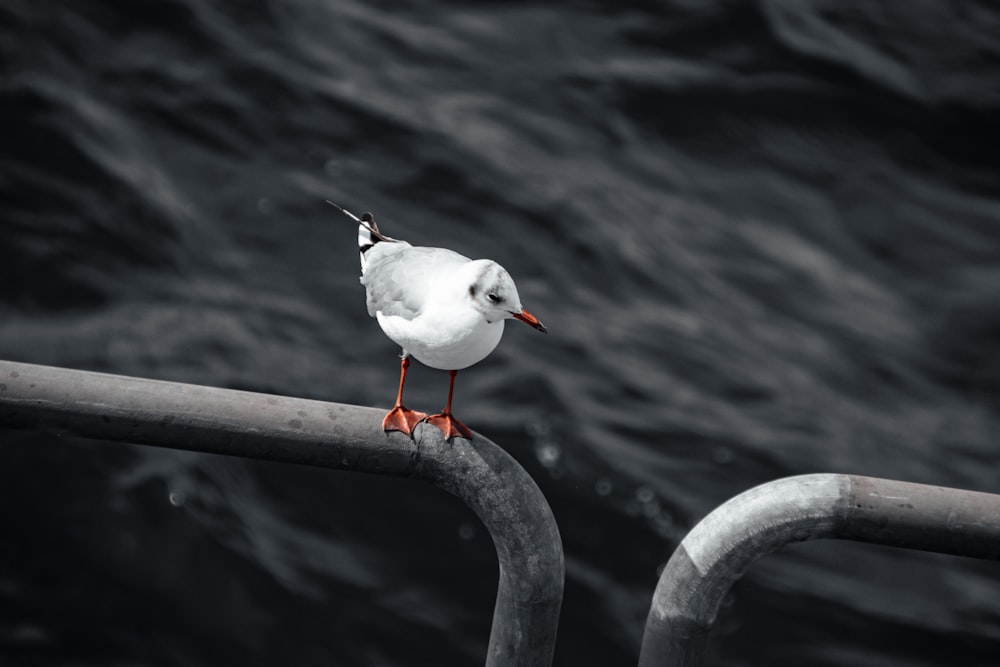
(442, 308)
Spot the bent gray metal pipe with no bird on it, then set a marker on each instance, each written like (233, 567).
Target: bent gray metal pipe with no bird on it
(764, 519)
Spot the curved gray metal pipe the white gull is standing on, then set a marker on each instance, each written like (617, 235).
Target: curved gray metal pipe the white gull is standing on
(329, 435)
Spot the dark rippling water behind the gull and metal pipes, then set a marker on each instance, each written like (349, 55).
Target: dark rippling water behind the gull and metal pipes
(765, 238)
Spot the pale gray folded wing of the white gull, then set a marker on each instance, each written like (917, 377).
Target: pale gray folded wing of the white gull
(398, 278)
